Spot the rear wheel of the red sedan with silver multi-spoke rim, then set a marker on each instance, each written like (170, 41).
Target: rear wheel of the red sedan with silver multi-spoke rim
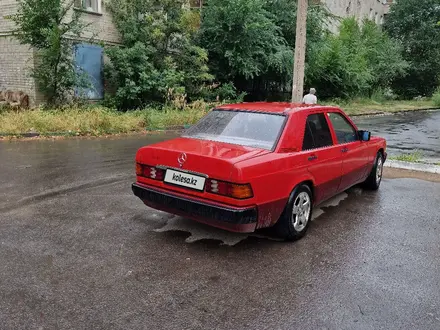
(297, 215)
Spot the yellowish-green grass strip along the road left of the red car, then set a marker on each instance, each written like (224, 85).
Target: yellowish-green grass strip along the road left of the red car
(96, 120)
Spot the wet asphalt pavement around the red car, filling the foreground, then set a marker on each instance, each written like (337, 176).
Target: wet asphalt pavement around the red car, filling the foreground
(78, 251)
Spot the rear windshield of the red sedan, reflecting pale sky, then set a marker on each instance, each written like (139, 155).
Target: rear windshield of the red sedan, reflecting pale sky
(250, 129)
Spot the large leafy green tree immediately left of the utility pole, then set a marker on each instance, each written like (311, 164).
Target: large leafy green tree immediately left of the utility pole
(242, 39)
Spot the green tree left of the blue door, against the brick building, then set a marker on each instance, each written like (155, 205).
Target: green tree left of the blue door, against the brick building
(48, 26)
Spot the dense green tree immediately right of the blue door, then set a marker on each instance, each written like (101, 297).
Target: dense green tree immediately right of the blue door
(158, 59)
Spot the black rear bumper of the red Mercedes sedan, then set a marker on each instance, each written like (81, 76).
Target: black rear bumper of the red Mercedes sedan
(229, 218)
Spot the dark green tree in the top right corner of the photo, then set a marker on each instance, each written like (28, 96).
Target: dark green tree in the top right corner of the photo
(414, 23)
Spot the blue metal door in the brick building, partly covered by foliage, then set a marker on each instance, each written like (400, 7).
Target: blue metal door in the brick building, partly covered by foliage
(89, 60)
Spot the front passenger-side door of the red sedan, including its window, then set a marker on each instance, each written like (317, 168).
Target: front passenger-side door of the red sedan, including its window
(354, 152)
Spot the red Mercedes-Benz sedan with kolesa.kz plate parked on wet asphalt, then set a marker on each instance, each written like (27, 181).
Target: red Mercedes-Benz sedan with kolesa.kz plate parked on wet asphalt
(256, 165)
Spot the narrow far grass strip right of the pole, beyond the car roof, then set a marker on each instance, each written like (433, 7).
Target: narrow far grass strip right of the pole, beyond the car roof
(368, 106)
